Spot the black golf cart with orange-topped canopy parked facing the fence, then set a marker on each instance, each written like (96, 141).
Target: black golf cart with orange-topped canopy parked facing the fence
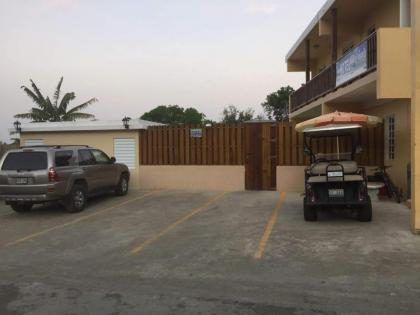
(333, 179)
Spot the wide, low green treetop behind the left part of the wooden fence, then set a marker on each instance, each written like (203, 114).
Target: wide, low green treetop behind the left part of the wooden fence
(174, 114)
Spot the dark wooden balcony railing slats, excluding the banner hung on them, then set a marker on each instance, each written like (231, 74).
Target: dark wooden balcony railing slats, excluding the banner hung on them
(326, 81)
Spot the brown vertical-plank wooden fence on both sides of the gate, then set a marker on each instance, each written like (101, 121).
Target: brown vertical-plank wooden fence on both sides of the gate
(224, 144)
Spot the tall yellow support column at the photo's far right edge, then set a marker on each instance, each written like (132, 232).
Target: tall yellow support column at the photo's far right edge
(415, 116)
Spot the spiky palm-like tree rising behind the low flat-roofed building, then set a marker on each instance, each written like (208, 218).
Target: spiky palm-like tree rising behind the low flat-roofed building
(55, 110)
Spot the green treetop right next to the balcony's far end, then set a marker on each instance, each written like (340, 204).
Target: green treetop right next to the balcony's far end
(276, 105)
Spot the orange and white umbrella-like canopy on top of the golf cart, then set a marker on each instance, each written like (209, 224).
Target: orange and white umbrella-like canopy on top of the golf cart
(338, 120)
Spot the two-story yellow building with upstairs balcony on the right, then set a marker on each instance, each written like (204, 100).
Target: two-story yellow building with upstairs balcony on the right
(358, 57)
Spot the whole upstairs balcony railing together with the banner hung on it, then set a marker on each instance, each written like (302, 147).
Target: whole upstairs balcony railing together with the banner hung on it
(327, 81)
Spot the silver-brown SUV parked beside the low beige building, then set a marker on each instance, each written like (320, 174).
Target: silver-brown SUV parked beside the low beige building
(69, 174)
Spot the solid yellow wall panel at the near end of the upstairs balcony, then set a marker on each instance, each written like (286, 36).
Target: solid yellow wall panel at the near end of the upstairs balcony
(394, 63)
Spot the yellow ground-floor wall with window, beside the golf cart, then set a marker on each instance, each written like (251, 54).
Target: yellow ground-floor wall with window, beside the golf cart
(401, 111)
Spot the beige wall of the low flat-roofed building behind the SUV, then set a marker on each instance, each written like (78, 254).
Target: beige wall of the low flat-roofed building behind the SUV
(103, 140)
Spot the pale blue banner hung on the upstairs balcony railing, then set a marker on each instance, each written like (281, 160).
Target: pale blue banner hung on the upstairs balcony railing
(353, 64)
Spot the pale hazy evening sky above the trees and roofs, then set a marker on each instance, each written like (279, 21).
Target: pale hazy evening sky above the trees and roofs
(134, 55)
